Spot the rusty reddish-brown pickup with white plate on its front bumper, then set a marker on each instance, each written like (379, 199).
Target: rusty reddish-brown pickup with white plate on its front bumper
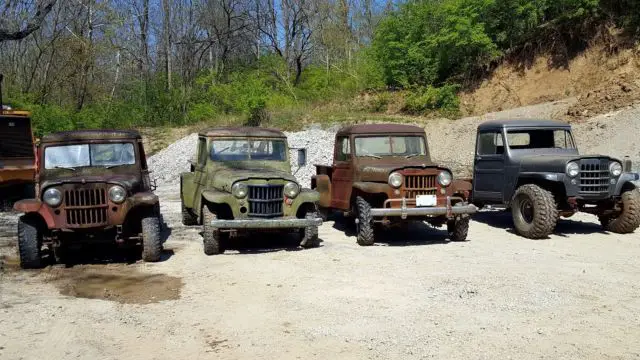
(383, 174)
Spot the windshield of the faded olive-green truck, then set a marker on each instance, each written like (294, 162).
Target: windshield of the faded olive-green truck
(244, 149)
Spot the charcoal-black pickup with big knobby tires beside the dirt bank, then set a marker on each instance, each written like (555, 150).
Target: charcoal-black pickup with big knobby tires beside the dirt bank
(534, 168)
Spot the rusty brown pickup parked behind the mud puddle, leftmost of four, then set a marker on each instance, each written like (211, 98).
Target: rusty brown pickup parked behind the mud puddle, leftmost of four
(91, 185)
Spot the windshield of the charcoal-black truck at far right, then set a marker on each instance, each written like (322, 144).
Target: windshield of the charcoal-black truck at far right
(540, 139)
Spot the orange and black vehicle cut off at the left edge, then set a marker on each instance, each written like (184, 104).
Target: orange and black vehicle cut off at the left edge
(17, 154)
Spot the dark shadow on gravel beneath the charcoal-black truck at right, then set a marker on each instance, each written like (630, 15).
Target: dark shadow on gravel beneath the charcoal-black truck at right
(502, 220)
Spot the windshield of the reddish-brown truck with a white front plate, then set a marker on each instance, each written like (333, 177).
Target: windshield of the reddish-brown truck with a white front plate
(390, 146)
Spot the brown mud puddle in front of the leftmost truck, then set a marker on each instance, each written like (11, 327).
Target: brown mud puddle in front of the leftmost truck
(123, 284)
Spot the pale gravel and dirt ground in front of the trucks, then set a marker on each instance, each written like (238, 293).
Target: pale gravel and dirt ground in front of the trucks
(413, 296)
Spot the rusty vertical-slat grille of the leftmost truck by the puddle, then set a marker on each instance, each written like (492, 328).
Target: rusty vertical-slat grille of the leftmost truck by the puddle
(86, 207)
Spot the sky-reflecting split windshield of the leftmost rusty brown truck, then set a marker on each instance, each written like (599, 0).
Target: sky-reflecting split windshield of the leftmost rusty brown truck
(85, 155)
